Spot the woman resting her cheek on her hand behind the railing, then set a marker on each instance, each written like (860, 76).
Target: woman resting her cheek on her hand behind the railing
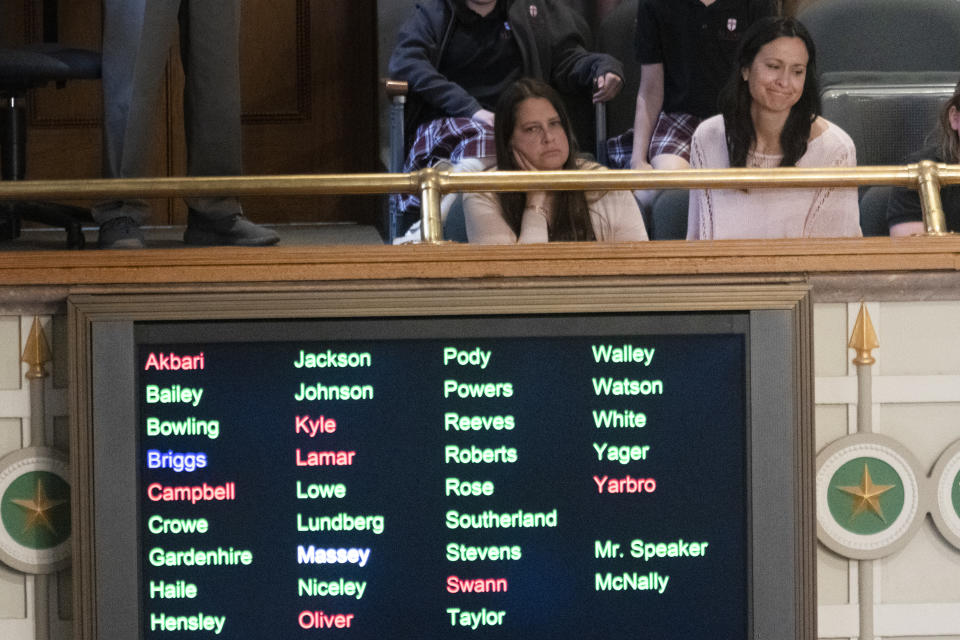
(533, 133)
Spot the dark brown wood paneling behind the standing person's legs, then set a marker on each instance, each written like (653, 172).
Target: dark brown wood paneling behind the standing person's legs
(309, 102)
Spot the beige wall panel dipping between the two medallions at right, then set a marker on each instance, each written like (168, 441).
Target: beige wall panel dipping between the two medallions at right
(926, 429)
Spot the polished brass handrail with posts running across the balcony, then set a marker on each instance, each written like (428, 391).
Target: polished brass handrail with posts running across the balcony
(431, 184)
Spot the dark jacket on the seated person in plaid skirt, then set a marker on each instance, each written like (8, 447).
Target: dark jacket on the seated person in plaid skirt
(552, 44)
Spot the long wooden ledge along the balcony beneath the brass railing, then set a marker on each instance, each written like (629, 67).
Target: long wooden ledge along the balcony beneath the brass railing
(433, 264)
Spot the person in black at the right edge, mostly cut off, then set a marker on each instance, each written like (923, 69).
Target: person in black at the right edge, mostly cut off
(904, 214)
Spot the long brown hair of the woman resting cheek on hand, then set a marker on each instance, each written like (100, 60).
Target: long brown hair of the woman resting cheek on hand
(571, 218)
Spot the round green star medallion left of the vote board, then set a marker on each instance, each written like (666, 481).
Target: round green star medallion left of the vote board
(34, 510)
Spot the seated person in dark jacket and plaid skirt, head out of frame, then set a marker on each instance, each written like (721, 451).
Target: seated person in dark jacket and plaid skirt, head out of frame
(459, 55)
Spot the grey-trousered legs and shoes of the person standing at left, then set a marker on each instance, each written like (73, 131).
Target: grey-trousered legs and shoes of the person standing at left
(137, 35)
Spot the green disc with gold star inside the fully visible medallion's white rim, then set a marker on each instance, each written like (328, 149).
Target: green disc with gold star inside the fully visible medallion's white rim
(865, 495)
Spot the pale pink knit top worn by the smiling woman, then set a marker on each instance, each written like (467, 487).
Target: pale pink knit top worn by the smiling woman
(772, 213)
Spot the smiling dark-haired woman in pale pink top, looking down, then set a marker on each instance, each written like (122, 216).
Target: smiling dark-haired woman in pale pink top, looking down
(770, 117)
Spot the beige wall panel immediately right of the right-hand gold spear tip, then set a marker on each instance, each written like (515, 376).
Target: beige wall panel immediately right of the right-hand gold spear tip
(917, 338)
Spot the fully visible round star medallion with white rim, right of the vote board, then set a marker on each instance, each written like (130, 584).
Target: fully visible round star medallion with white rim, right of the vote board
(868, 496)
